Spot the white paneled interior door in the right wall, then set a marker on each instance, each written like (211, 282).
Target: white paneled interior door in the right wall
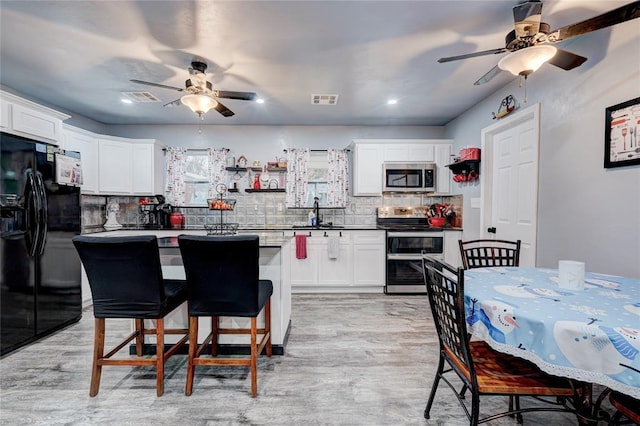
(510, 181)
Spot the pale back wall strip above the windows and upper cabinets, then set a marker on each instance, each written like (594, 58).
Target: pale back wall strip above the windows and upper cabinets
(264, 143)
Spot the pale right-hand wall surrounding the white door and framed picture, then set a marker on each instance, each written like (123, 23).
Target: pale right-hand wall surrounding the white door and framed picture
(585, 212)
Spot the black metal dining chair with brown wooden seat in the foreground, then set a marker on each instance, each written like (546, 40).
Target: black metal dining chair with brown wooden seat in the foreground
(482, 370)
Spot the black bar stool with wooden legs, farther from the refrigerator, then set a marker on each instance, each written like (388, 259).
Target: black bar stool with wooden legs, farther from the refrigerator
(223, 281)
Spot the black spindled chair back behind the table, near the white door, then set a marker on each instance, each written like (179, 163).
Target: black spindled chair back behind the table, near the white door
(485, 253)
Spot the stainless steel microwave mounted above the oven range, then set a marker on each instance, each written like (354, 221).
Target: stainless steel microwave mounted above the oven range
(400, 176)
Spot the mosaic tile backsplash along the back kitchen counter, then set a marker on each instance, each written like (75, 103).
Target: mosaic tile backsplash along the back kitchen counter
(258, 210)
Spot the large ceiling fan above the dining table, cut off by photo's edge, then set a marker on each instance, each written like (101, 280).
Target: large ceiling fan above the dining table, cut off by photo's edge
(532, 36)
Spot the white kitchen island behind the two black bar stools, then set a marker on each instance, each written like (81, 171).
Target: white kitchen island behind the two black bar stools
(274, 265)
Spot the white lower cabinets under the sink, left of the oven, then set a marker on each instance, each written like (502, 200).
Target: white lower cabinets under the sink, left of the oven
(358, 266)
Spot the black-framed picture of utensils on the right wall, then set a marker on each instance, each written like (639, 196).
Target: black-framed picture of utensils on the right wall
(621, 138)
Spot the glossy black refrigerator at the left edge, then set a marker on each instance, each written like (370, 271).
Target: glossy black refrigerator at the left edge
(40, 279)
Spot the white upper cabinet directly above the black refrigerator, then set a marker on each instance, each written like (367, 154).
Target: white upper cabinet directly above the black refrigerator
(26, 118)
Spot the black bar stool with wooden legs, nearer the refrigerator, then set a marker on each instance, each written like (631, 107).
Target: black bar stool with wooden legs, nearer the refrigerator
(126, 281)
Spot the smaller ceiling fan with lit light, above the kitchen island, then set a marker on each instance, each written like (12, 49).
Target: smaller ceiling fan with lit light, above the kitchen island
(200, 96)
